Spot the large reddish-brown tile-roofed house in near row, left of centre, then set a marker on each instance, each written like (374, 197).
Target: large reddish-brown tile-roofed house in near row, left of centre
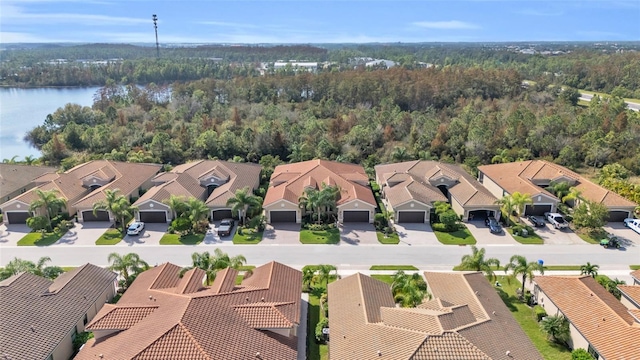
(165, 316)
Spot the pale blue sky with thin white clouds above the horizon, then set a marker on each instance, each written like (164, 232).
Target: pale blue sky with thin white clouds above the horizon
(303, 21)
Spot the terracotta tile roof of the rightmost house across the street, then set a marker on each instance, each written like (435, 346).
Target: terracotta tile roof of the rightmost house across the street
(520, 176)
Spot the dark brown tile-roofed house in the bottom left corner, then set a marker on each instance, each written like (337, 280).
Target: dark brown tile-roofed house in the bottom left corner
(39, 318)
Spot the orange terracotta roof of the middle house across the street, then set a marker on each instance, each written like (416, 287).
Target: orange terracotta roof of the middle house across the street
(288, 181)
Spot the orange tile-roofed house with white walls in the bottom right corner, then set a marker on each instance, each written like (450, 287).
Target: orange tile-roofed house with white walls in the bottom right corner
(599, 323)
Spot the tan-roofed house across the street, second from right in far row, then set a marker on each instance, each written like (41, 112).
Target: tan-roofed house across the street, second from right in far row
(412, 187)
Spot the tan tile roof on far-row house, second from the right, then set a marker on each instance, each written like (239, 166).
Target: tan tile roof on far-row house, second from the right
(418, 180)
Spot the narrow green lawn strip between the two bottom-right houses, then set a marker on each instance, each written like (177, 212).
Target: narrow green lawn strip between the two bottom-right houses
(526, 317)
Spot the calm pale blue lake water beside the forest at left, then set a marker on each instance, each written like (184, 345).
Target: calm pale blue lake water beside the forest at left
(23, 109)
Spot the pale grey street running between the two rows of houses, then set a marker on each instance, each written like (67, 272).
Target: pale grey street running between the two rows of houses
(343, 256)
